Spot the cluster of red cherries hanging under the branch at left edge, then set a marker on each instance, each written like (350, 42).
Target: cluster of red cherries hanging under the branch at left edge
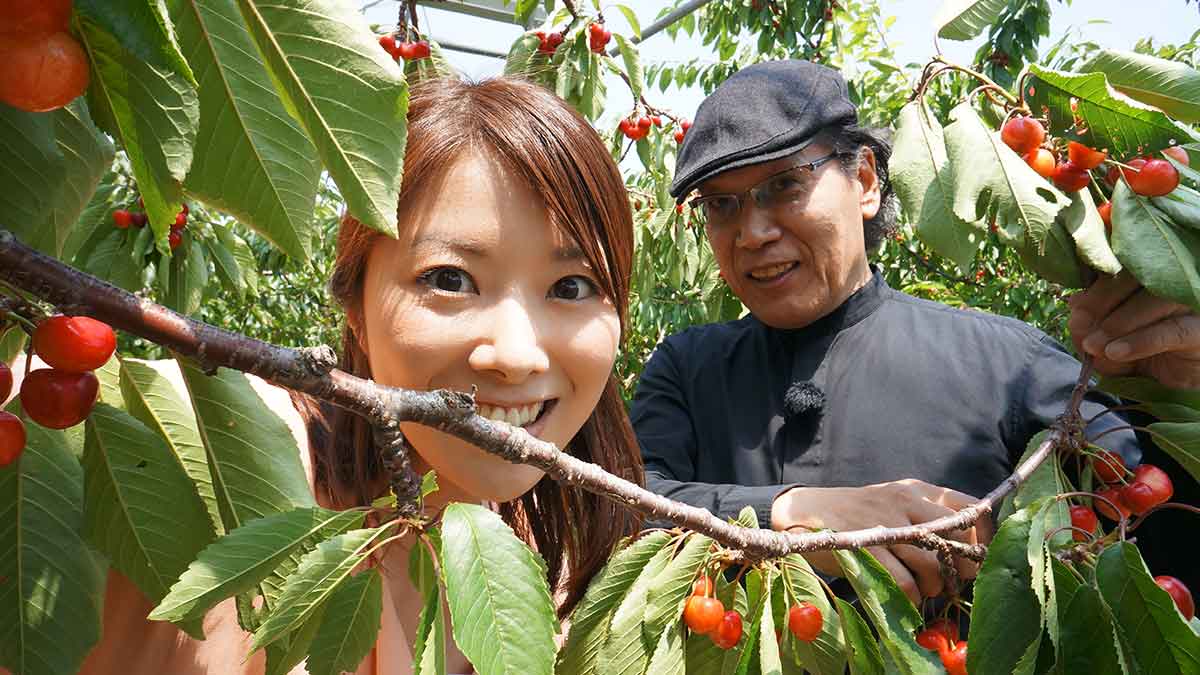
(64, 395)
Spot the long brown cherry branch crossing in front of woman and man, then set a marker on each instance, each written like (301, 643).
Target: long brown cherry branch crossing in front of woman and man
(313, 371)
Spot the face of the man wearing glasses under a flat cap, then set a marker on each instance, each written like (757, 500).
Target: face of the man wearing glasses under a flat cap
(800, 259)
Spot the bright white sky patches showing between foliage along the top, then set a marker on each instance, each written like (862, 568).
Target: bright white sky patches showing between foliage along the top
(1113, 23)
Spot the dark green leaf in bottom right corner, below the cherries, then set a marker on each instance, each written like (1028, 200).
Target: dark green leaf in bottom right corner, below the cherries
(1159, 636)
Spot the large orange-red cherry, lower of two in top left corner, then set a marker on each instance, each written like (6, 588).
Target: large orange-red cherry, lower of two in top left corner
(41, 73)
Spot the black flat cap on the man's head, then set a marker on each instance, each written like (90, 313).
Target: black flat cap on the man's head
(761, 114)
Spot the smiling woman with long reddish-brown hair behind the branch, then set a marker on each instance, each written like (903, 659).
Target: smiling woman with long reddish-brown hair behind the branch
(511, 274)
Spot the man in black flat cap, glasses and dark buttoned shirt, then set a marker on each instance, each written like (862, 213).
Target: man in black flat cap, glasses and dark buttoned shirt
(838, 402)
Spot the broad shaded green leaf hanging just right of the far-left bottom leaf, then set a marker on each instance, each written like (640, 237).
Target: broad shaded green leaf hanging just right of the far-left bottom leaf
(142, 511)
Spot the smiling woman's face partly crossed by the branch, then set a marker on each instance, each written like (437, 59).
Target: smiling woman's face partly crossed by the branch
(482, 291)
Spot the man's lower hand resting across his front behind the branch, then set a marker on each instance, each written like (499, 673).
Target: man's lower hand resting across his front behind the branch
(889, 505)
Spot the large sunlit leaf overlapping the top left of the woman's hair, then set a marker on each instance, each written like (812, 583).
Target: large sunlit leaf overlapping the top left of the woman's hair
(322, 56)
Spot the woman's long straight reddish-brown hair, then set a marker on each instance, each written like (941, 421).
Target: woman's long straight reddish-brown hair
(562, 158)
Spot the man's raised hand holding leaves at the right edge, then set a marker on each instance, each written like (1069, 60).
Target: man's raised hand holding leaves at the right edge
(1131, 332)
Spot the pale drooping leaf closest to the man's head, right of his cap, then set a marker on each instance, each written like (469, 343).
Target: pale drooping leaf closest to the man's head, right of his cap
(922, 177)
